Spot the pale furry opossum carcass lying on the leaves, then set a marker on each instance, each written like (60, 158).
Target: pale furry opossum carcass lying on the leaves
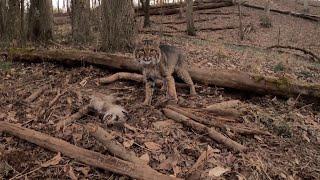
(105, 105)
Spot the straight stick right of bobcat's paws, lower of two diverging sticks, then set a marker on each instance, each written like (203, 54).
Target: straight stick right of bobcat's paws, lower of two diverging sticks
(204, 129)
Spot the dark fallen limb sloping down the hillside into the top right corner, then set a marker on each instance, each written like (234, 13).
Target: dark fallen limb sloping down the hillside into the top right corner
(295, 14)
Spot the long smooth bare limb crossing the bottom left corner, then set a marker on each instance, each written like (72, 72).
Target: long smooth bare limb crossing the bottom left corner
(85, 156)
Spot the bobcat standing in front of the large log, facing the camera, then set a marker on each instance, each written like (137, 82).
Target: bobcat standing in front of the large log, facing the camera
(160, 62)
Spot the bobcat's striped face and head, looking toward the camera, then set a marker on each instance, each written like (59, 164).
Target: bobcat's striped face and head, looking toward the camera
(148, 53)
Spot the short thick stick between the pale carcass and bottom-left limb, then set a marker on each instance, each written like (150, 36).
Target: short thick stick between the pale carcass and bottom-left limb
(106, 139)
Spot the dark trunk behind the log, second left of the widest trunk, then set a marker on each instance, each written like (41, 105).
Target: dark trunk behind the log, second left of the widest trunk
(40, 20)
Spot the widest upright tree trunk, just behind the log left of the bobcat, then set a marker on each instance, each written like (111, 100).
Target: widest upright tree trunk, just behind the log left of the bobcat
(118, 25)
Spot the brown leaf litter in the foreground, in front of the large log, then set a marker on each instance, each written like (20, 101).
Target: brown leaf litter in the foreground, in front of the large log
(167, 146)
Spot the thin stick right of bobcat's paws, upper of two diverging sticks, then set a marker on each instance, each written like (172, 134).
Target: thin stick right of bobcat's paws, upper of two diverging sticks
(239, 130)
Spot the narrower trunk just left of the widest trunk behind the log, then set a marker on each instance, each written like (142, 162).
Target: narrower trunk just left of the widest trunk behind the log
(80, 15)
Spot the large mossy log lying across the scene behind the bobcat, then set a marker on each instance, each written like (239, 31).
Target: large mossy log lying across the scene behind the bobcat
(223, 78)
